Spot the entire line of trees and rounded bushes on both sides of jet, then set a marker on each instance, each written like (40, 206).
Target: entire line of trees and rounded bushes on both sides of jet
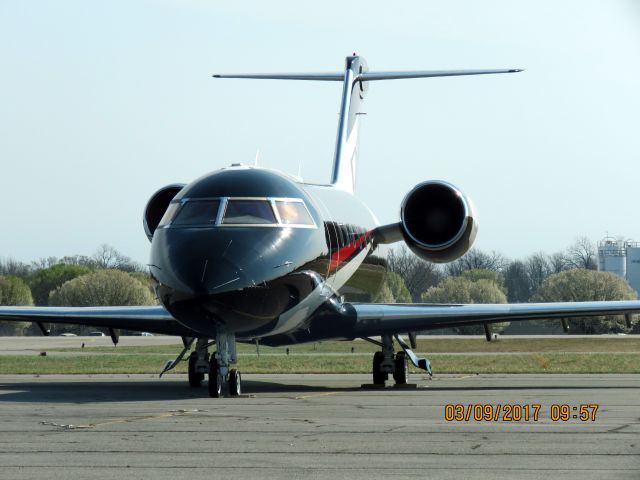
(110, 278)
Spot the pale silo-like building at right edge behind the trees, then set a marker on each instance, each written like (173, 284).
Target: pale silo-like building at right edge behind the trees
(621, 257)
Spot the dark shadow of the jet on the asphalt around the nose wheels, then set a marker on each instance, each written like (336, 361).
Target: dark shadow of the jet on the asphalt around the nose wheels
(46, 391)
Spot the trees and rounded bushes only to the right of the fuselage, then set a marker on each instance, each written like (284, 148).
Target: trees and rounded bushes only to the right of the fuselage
(489, 277)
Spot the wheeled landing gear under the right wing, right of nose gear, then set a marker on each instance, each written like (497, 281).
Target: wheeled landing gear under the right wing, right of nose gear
(387, 362)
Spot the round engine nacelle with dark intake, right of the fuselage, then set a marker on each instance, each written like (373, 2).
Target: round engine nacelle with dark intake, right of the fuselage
(438, 221)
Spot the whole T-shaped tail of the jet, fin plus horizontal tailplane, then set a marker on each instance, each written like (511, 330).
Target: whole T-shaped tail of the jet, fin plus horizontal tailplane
(355, 78)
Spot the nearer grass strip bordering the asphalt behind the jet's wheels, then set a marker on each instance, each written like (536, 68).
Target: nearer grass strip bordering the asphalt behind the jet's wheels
(152, 364)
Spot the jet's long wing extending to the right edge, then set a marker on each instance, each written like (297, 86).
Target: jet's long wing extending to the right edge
(378, 319)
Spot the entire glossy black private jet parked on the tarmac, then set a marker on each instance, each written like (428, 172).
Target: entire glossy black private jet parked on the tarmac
(247, 254)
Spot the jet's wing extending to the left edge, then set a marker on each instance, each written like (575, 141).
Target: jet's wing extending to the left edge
(154, 319)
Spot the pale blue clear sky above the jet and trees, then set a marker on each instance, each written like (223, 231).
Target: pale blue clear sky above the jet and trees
(105, 102)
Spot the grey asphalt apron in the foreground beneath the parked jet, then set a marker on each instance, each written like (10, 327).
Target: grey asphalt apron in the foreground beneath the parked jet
(314, 426)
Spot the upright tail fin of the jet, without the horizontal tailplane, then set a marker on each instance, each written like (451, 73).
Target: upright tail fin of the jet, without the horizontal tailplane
(345, 158)
